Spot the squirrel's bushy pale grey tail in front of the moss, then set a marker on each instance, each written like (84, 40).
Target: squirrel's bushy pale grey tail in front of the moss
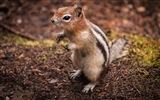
(117, 49)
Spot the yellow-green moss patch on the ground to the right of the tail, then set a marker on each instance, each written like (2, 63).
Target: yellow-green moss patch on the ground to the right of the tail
(144, 51)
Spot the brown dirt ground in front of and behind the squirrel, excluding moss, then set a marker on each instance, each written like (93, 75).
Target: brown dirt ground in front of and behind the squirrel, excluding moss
(41, 72)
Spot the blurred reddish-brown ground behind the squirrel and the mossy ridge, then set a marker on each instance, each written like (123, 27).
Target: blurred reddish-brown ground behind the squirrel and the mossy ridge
(31, 18)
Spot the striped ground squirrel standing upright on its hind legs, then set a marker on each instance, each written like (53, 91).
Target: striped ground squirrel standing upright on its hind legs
(91, 50)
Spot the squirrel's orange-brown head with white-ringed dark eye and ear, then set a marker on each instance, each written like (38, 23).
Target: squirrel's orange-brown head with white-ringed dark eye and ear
(68, 17)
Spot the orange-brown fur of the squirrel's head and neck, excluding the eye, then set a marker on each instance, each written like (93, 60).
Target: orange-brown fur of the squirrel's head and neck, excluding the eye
(75, 24)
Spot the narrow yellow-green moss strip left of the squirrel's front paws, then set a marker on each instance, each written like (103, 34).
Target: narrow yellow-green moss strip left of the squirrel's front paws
(15, 39)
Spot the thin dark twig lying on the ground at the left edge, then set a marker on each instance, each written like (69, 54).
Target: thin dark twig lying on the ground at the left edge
(28, 36)
